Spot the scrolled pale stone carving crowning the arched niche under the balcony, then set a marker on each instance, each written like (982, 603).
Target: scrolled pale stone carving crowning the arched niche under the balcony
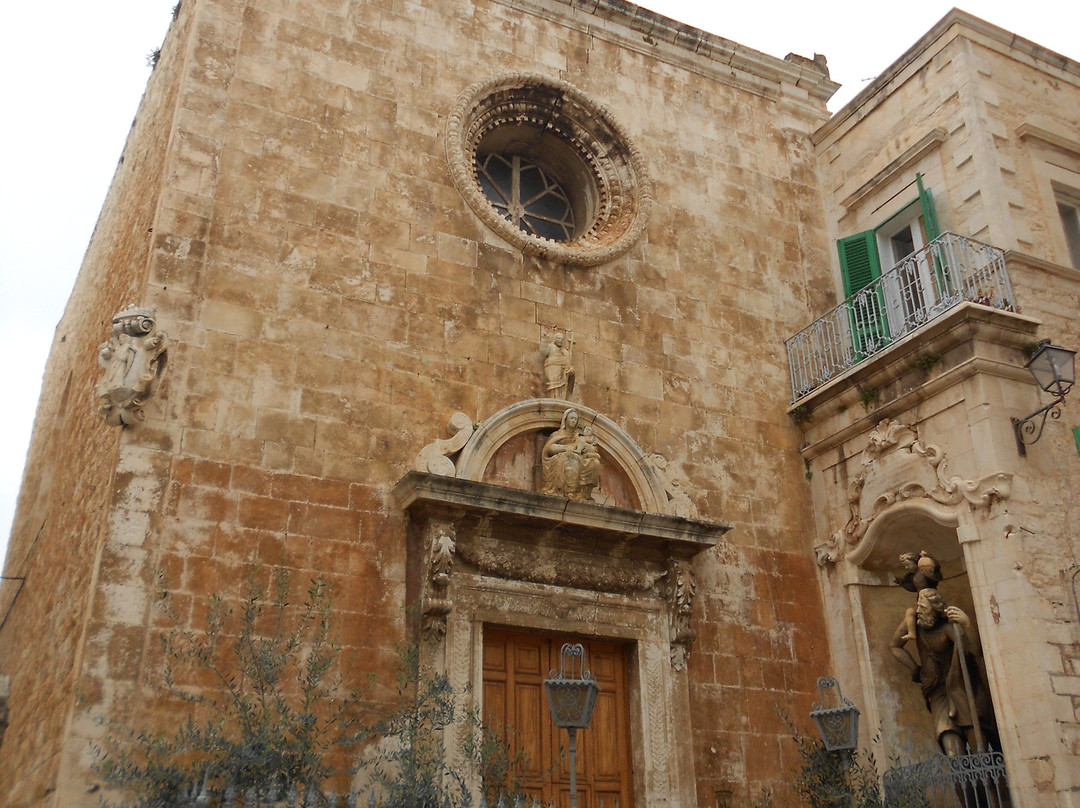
(897, 467)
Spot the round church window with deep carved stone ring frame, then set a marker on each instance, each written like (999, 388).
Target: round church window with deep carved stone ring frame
(548, 170)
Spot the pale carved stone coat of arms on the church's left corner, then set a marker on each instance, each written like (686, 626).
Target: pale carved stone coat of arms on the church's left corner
(134, 359)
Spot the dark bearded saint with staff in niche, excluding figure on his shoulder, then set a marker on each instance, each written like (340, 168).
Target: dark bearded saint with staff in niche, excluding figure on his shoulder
(948, 672)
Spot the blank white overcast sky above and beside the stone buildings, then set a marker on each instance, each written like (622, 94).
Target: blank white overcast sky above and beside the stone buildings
(74, 72)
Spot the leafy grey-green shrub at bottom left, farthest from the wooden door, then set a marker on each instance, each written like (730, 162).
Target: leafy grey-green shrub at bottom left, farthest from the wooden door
(273, 712)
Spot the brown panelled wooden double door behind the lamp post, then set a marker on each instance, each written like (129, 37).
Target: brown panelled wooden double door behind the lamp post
(516, 666)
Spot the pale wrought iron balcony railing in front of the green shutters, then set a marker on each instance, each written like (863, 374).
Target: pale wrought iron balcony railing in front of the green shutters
(929, 282)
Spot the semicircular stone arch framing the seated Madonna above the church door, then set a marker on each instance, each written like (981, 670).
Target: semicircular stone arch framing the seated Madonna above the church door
(542, 415)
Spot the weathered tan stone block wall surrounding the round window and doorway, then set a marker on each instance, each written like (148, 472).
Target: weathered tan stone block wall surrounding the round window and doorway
(333, 301)
